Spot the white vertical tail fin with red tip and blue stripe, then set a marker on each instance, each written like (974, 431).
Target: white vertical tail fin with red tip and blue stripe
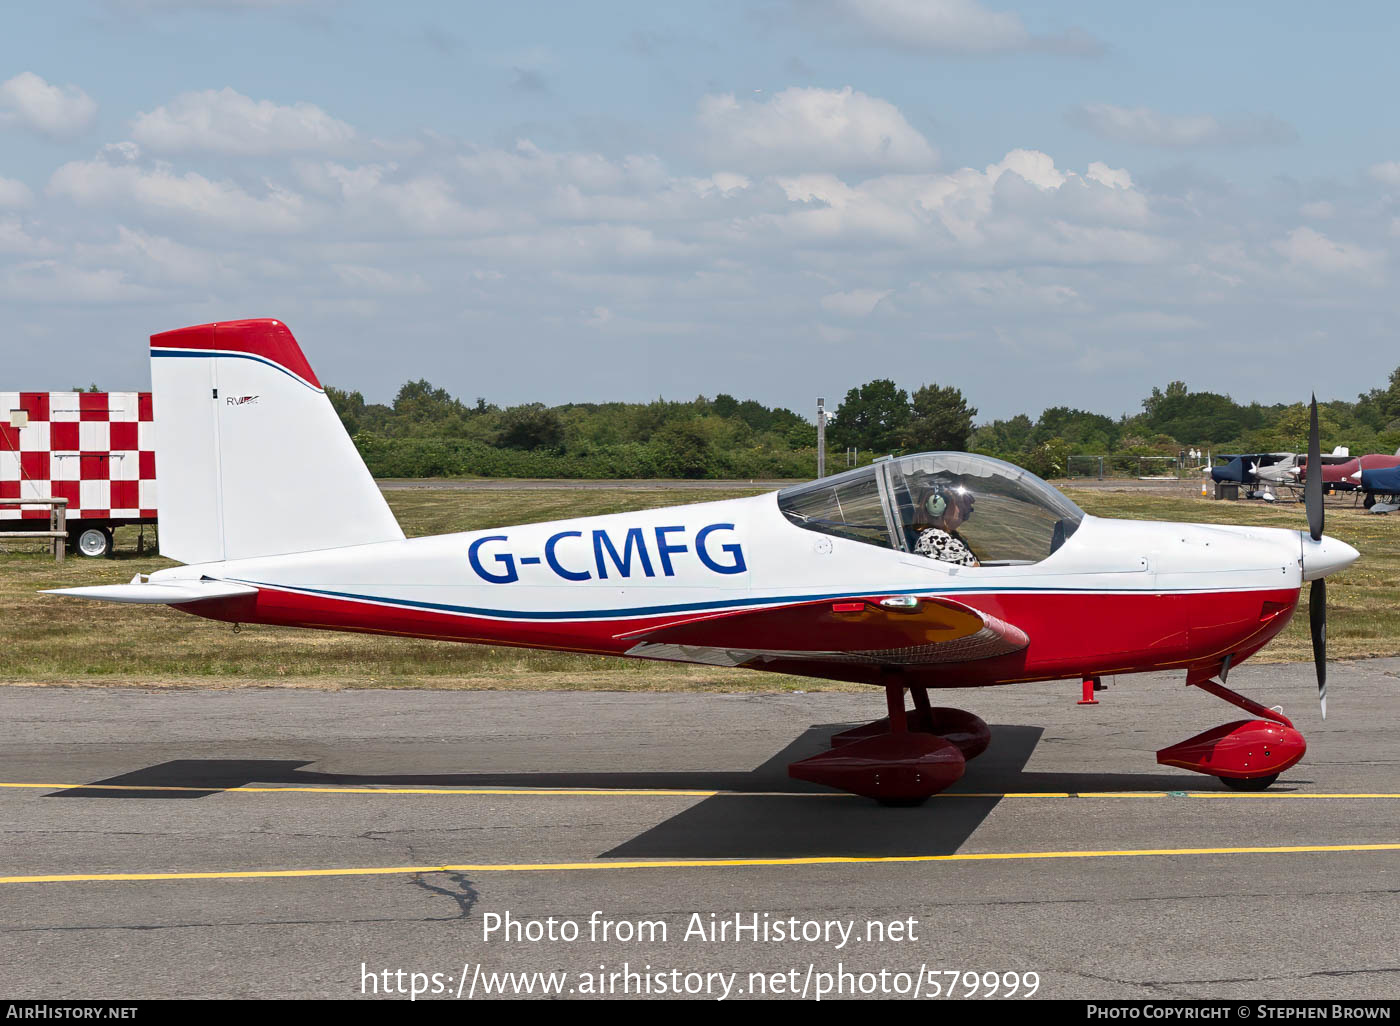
(250, 456)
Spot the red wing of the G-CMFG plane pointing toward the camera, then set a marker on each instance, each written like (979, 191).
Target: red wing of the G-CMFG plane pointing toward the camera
(901, 631)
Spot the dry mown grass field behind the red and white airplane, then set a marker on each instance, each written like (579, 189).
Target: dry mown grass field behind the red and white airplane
(51, 640)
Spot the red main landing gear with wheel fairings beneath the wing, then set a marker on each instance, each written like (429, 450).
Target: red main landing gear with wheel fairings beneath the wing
(904, 758)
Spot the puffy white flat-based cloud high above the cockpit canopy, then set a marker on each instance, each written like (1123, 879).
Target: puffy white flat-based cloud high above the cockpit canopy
(813, 129)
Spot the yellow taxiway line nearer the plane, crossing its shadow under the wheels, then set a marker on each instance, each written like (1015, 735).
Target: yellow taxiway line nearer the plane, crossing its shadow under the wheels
(673, 793)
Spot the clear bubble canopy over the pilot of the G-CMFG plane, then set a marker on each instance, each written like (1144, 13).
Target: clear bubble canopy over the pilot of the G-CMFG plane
(1011, 519)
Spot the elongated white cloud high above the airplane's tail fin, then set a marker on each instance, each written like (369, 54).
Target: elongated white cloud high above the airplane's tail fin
(227, 122)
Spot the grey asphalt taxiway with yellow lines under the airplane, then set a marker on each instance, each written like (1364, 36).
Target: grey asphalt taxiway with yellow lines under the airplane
(295, 843)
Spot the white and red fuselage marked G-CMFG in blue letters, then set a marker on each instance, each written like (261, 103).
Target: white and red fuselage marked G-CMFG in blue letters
(1116, 597)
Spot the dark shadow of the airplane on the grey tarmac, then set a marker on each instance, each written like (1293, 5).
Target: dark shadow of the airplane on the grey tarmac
(751, 822)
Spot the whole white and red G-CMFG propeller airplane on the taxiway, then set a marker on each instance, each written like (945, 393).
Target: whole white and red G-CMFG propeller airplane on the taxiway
(824, 580)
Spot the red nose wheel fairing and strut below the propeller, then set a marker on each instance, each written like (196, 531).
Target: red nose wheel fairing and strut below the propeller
(1247, 755)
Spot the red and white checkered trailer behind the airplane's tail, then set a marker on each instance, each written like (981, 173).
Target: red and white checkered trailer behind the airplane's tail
(94, 449)
